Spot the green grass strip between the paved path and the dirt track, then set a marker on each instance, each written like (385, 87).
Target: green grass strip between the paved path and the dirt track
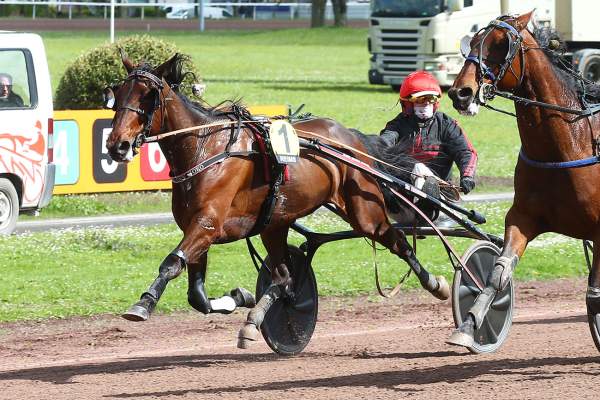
(96, 271)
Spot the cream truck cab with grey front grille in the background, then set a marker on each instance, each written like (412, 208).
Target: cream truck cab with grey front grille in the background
(410, 35)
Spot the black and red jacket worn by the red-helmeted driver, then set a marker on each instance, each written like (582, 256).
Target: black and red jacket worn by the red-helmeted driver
(436, 142)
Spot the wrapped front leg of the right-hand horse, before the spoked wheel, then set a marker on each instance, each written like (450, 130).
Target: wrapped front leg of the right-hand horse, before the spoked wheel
(519, 231)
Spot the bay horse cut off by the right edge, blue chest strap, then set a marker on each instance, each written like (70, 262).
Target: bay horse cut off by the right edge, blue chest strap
(557, 173)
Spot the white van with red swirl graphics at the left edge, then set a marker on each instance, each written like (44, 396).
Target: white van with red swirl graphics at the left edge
(26, 127)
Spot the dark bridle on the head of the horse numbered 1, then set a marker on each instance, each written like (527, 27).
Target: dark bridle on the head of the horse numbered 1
(155, 85)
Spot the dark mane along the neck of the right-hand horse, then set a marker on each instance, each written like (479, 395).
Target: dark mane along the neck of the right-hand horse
(543, 35)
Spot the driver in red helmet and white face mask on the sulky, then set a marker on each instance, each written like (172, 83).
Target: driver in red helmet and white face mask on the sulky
(431, 137)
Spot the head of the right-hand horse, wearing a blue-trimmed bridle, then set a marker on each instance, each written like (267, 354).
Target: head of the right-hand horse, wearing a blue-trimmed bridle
(495, 58)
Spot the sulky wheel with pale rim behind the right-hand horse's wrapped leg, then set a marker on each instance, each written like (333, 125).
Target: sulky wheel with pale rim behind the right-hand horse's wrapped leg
(480, 259)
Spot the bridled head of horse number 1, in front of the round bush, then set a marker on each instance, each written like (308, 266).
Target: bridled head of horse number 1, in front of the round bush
(139, 105)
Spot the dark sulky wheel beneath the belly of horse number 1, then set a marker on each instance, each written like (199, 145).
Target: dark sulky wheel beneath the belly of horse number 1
(290, 322)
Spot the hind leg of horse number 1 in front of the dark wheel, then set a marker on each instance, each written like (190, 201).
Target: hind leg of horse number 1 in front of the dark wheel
(275, 242)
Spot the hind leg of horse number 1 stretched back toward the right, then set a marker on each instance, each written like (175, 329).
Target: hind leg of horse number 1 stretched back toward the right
(369, 218)
